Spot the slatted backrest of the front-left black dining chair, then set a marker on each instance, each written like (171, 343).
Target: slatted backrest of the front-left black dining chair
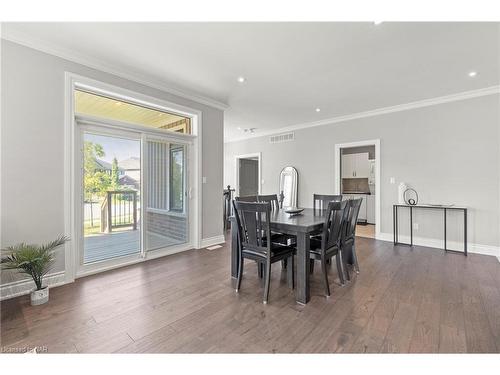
(254, 227)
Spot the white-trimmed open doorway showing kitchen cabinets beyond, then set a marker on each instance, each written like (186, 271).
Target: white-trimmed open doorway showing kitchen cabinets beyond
(357, 171)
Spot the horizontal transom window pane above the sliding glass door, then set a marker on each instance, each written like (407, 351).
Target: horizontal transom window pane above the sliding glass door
(100, 106)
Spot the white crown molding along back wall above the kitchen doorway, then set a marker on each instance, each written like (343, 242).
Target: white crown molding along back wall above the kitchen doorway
(376, 112)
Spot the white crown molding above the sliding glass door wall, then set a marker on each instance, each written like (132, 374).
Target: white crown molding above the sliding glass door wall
(51, 49)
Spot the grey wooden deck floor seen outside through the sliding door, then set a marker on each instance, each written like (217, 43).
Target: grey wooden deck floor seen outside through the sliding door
(106, 246)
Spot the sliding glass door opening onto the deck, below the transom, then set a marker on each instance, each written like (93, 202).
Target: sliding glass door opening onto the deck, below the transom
(134, 195)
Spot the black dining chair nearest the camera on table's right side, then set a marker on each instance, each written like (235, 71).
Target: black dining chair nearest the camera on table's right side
(330, 243)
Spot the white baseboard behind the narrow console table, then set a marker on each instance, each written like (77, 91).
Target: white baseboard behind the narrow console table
(438, 244)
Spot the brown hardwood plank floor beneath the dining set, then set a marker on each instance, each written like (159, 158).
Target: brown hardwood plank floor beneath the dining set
(404, 300)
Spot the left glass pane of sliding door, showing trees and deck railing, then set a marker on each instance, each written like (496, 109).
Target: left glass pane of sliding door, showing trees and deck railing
(111, 185)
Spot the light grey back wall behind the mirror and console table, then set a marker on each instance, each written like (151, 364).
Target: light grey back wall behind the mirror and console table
(448, 152)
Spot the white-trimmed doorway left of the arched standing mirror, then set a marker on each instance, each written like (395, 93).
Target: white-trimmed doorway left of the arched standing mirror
(248, 175)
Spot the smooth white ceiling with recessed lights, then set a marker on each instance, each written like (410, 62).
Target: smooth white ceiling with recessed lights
(290, 68)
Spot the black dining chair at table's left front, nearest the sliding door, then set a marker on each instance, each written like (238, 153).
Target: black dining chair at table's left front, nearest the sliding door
(254, 229)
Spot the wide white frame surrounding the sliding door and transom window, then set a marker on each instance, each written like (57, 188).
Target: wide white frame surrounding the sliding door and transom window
(72, 148)
